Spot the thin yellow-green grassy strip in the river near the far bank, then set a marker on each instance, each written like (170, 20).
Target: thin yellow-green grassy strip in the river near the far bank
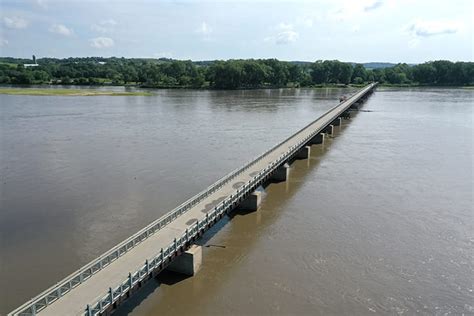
(69, 92)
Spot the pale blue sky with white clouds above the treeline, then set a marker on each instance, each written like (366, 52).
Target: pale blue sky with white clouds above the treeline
(411, 31)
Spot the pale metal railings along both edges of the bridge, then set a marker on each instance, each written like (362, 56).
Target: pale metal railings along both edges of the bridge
(61, 288)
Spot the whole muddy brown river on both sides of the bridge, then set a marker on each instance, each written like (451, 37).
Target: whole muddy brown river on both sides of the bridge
(379, 220)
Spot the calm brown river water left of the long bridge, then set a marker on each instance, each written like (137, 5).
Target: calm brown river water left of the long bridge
(80, 174)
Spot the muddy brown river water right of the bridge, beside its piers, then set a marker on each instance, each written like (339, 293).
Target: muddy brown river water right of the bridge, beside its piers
(379, 221)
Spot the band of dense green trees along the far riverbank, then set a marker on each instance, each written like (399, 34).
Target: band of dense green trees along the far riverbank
(230, 74)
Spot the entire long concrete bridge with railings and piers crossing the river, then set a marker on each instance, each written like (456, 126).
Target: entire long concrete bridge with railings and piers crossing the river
(167, 243)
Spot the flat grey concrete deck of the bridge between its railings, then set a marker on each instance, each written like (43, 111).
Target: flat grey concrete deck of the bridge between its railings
(92, 289)
